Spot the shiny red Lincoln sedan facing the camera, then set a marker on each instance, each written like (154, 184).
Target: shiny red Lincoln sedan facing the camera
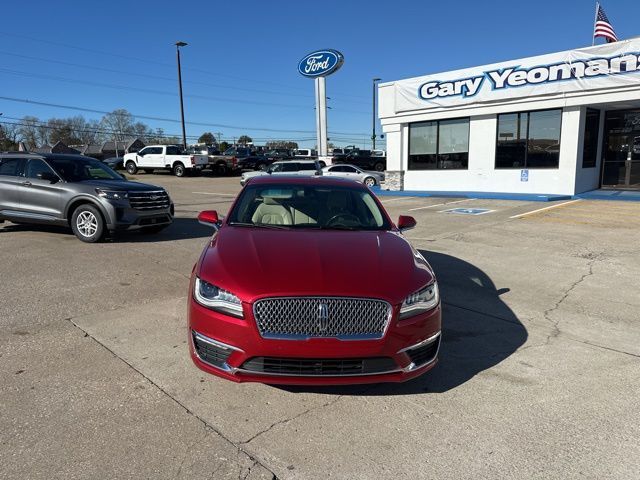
(308, 281)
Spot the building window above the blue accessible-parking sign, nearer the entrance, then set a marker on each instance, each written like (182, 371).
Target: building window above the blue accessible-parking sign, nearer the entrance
(529, 139)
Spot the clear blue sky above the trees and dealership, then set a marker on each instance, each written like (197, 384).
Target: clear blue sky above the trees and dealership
(239, 69)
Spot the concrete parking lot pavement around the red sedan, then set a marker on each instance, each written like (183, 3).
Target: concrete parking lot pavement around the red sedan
(538, 377)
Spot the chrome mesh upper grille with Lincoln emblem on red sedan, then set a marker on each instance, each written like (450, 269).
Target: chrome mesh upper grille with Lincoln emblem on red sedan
(306, 317)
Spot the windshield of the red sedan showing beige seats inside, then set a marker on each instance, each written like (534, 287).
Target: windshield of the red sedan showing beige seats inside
(308, 206)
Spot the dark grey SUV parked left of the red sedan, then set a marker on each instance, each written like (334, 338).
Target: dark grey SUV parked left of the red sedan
(80, 192)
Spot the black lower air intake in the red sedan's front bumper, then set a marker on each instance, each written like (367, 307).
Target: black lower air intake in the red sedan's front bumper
(319, 367)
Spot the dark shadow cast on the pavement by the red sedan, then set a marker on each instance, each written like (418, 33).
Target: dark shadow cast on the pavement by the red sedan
(478, 332)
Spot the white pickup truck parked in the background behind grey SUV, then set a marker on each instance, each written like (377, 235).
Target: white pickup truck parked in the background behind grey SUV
(171, 157)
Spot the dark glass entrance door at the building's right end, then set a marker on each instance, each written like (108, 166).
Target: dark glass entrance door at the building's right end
(621, 150)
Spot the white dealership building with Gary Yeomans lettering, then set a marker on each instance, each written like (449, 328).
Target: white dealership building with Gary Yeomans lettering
(562, 123)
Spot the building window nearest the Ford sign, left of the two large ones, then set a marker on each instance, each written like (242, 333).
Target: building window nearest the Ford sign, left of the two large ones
(440, 144)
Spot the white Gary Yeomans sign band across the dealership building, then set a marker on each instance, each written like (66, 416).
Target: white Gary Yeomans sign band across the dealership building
(606, 66)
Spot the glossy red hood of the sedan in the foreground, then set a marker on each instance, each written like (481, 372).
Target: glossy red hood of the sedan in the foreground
(254, 262)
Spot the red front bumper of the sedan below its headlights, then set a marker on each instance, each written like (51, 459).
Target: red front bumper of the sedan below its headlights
(232, 348)
